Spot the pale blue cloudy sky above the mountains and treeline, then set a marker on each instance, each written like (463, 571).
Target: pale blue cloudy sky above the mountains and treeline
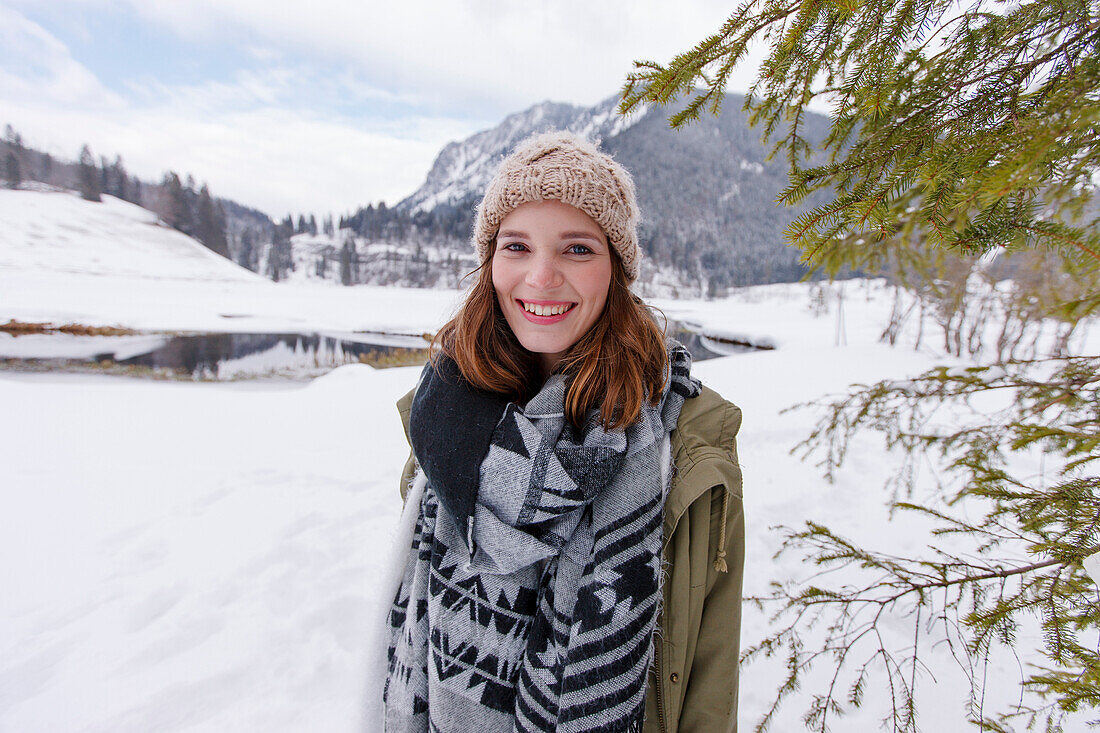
(320, 107)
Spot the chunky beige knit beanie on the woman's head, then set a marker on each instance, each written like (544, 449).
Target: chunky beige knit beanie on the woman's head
(567, 168)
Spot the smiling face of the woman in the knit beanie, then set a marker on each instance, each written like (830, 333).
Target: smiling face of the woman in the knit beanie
(552, 271)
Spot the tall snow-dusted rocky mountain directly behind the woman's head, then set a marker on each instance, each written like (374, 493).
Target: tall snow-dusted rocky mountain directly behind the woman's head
(707, 192)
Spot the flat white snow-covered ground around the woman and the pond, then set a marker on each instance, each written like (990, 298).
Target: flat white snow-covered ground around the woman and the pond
(203, 557)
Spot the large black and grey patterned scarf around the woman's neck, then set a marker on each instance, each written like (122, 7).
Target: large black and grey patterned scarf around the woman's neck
(532, 588)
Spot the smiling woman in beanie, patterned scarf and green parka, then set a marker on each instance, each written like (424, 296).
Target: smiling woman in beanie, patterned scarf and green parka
(563, 451)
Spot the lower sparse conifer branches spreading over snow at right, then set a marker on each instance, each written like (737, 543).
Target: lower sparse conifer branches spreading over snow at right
(1019, 563)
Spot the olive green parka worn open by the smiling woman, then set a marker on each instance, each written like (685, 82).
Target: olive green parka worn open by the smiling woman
(694, 683)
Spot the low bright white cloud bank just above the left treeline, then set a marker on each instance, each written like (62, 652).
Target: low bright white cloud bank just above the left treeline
(274, 159)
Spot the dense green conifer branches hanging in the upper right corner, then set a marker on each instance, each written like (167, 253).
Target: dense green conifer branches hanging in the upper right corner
(987, 115)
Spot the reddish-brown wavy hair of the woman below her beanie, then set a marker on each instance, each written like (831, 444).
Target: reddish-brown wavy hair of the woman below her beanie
(619, 365)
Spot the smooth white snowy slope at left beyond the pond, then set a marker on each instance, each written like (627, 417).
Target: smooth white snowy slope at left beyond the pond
(64, 260)
